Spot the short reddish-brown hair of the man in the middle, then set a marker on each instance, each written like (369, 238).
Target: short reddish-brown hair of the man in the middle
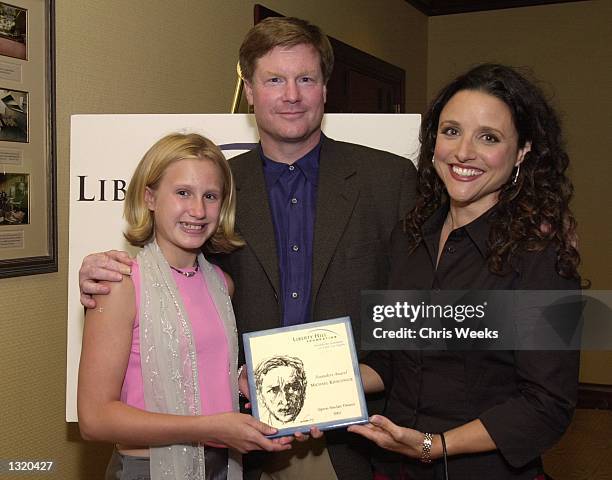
(283, 32)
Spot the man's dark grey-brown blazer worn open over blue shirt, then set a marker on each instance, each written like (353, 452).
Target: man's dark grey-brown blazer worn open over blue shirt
(362, 193)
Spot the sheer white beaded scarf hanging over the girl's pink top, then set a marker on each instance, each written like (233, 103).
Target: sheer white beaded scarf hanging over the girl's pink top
(169, 364)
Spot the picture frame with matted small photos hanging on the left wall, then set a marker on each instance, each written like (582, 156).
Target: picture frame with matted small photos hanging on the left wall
(28, 211)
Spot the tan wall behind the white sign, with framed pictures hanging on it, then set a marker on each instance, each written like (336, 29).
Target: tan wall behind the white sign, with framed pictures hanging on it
(146, 56)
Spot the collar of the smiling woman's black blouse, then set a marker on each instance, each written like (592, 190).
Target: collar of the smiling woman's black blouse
(478, 230)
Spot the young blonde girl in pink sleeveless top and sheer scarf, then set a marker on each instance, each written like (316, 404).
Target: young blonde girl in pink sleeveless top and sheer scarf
(158, 365)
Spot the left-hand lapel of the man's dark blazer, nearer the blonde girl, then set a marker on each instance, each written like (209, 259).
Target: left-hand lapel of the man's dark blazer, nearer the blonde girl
(253, 217)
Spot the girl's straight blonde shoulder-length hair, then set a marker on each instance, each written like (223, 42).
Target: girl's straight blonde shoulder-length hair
(150, 170)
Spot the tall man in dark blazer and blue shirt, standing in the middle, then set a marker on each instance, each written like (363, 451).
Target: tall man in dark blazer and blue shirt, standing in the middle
(316, 215)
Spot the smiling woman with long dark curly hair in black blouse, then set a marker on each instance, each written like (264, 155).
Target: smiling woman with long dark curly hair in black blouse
(492, 213)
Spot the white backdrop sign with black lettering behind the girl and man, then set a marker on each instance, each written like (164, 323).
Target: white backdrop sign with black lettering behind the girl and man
(104, 151)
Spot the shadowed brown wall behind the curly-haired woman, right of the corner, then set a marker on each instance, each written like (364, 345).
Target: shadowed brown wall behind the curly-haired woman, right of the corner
(568, 47)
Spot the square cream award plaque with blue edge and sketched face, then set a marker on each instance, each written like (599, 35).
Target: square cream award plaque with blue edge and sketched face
(305, 375)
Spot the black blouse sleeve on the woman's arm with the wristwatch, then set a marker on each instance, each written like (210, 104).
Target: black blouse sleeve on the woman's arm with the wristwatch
(526, 425)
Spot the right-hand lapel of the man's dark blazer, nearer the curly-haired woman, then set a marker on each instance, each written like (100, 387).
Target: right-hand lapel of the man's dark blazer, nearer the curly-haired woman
(337, 193)
